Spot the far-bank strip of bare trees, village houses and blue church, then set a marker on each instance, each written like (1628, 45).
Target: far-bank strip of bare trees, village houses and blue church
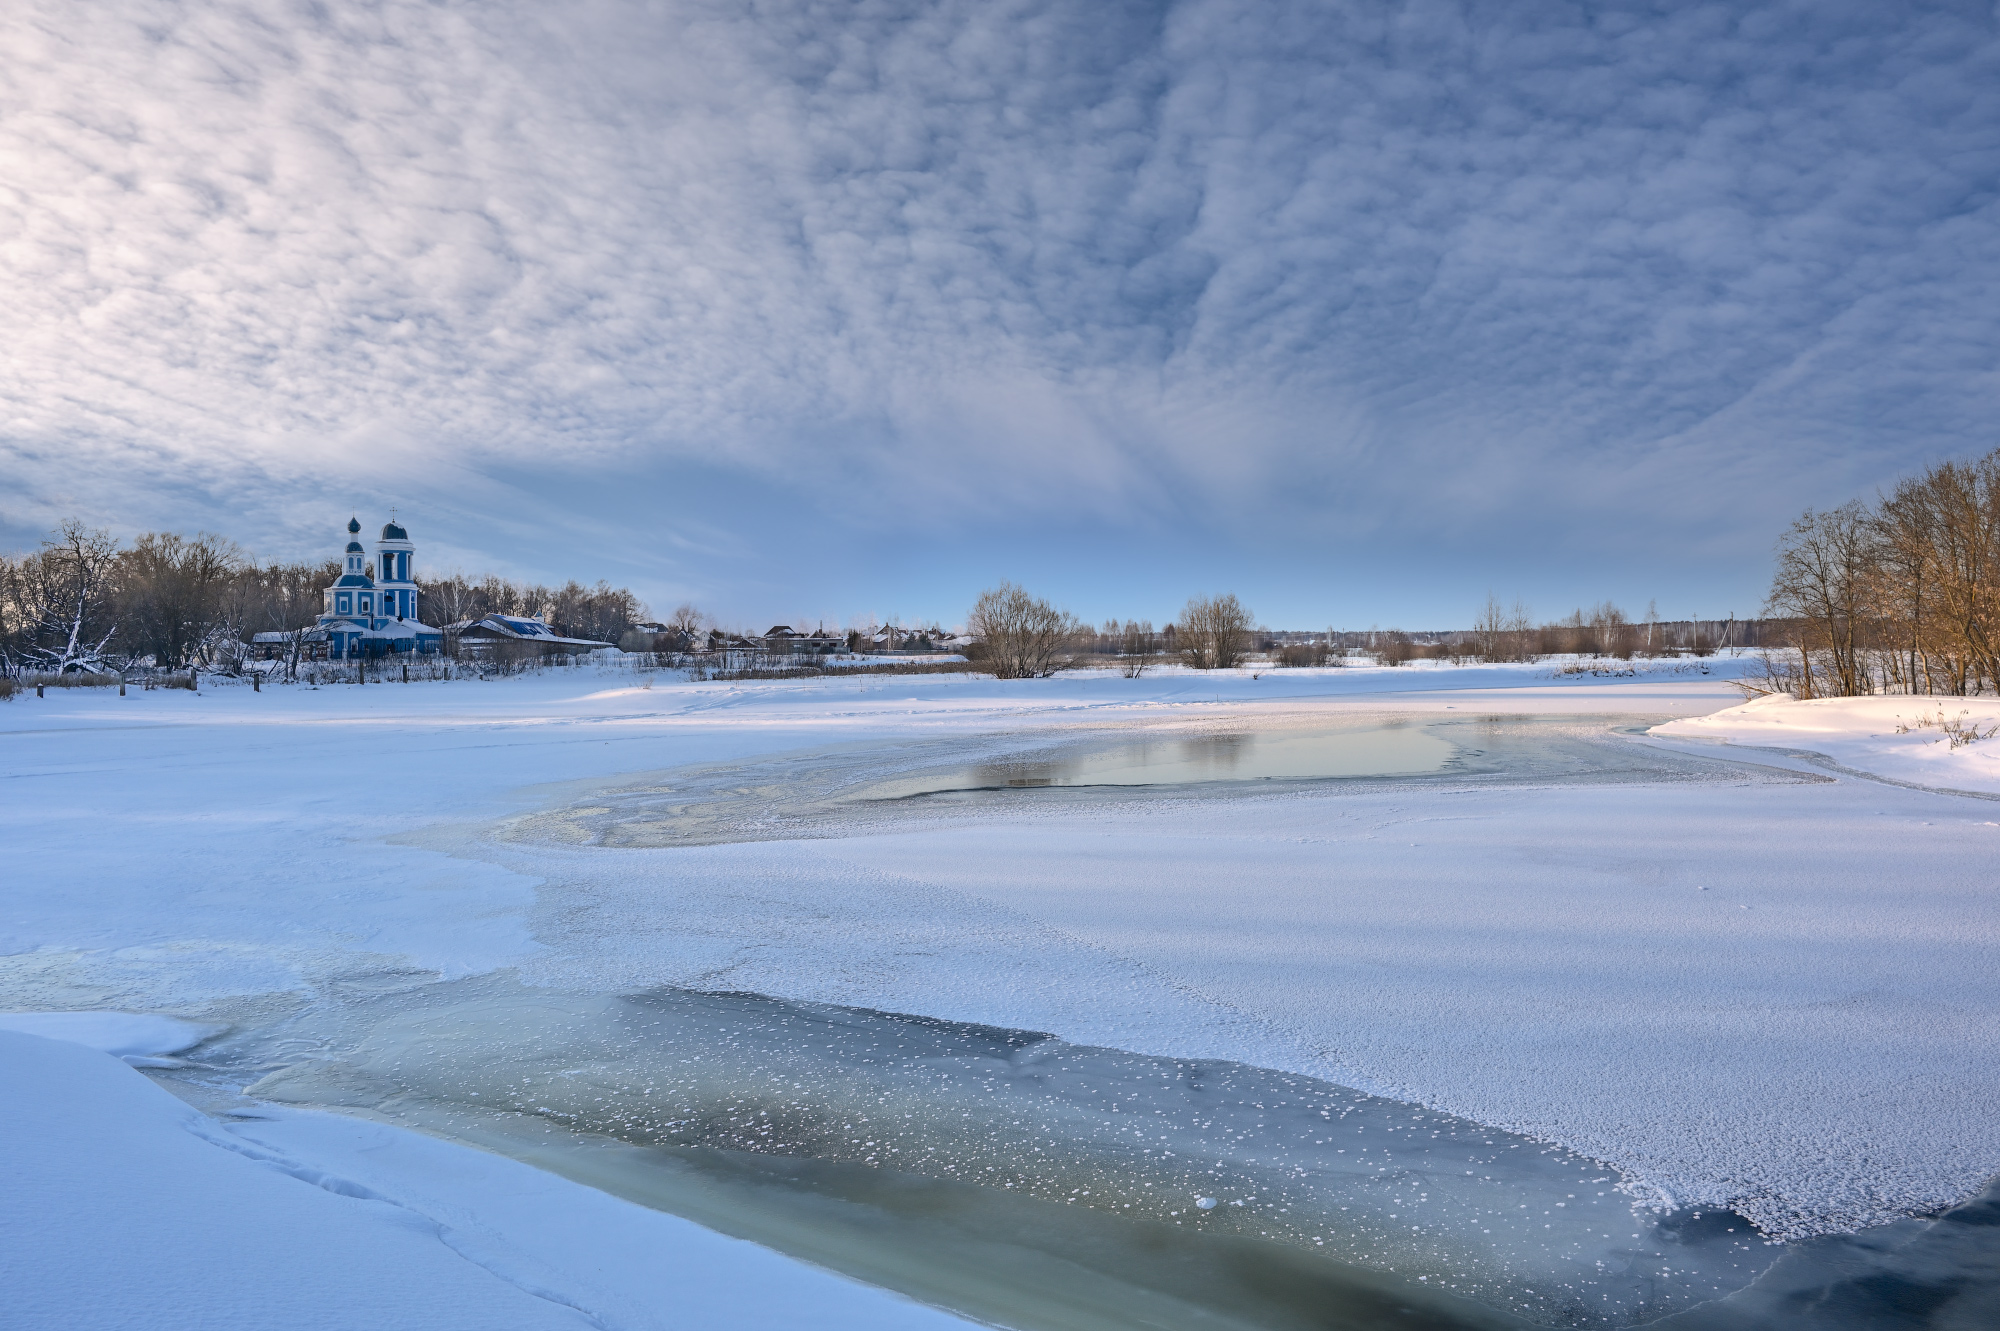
(89, 605)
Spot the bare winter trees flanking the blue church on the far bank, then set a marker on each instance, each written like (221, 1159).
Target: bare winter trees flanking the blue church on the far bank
(89, 603)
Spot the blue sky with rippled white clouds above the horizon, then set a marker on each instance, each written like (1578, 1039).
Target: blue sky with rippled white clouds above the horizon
(827, 313)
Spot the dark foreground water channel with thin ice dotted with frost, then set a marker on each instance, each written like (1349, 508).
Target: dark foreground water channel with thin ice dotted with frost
(1049, 1186)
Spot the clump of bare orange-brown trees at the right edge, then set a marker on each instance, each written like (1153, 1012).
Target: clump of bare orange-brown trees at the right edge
(1897, 597)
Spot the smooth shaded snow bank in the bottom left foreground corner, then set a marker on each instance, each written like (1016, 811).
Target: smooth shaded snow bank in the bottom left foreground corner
(127, 1208)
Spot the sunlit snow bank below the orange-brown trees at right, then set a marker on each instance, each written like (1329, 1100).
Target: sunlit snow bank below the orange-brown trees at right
(1897, 738)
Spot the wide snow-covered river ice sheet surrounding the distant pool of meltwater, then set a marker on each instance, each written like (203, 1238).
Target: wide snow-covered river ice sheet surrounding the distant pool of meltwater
(1759, 994)
